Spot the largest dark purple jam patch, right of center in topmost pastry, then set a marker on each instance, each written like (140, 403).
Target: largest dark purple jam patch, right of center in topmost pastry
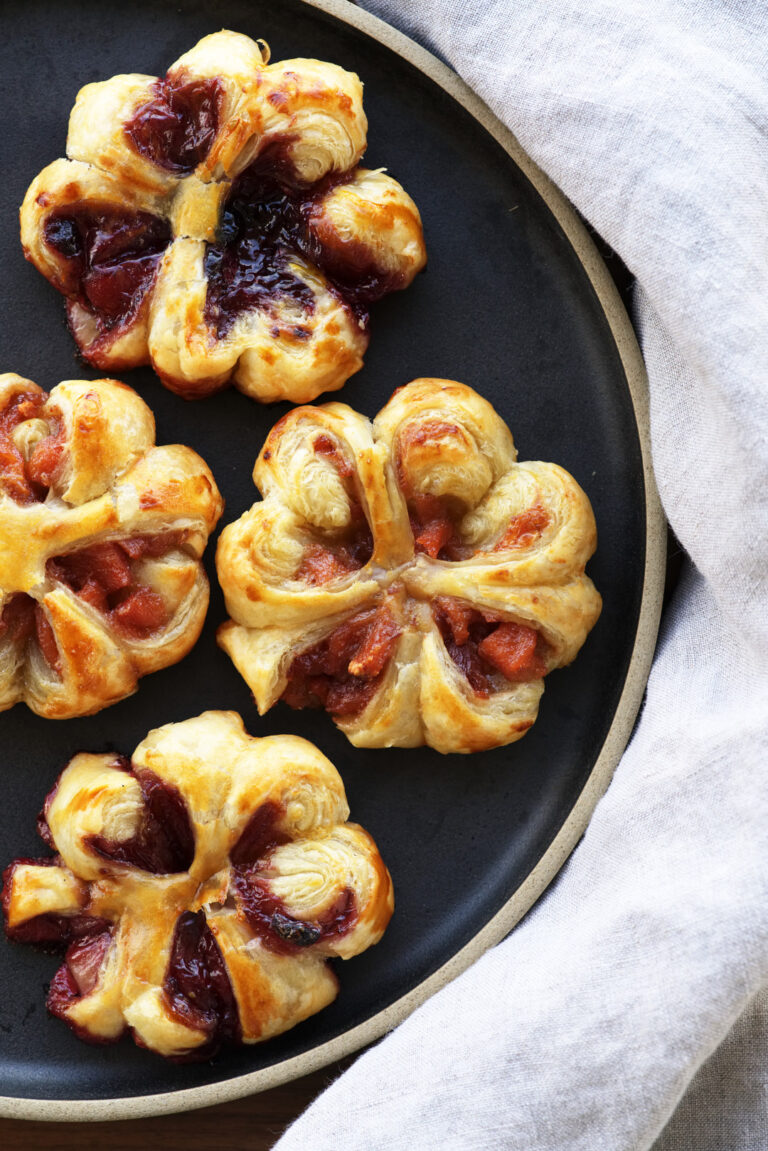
(269, 219)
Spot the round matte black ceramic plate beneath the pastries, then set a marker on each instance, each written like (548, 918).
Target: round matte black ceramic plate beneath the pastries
(514, 303)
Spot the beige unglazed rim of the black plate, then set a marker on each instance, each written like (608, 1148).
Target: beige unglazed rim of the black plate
(569, 835)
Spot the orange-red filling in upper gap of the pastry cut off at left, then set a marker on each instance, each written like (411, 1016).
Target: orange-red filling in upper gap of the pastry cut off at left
(28, 481)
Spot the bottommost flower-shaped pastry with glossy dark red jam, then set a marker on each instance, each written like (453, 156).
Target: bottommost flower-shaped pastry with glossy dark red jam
(201, 888)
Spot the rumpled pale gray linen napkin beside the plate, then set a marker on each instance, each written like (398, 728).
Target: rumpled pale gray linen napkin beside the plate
(585, 1027)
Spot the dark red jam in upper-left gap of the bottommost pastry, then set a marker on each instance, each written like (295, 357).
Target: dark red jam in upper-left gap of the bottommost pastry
(165, 841)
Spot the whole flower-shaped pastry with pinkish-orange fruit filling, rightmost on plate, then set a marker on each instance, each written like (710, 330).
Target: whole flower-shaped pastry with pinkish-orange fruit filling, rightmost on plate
(408, 575)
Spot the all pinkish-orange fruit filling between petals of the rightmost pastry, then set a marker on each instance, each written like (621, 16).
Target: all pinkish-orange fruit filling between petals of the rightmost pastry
(345, 670)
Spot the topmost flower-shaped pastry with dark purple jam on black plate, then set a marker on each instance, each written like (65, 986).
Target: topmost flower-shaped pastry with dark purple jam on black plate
(217, 224)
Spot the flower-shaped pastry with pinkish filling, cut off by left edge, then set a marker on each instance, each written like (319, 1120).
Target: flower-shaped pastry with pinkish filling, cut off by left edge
(102, 535)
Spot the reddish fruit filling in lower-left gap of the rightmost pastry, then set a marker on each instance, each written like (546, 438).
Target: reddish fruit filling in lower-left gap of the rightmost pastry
(344, 672)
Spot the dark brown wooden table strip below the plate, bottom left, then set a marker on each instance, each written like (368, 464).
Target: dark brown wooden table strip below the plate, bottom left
(254, 1124)
